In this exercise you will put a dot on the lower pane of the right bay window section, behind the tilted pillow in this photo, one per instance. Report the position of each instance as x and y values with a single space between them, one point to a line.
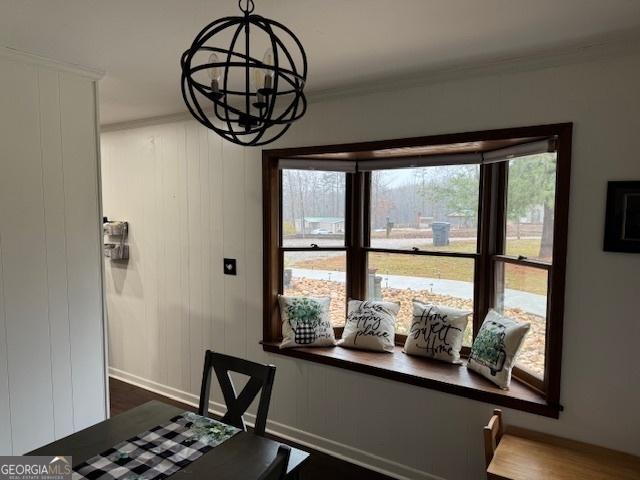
521 294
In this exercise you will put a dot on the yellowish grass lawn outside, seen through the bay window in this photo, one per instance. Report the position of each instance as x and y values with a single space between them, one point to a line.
518 278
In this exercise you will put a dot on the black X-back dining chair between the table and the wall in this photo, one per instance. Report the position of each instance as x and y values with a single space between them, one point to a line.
260 381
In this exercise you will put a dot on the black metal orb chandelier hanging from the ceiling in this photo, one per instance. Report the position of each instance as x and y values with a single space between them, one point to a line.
246 100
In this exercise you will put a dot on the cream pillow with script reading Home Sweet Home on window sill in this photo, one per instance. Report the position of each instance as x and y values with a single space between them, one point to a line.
436 332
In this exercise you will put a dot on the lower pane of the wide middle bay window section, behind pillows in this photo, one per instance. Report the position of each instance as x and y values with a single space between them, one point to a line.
439 280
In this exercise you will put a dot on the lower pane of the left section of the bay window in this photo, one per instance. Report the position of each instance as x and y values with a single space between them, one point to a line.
317 274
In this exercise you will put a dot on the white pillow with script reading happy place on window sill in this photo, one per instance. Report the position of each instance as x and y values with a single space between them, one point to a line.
371 325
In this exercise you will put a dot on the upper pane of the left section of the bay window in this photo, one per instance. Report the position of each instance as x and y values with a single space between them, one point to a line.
313 205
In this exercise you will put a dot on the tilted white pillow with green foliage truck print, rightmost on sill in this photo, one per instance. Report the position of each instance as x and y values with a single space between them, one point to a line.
495 348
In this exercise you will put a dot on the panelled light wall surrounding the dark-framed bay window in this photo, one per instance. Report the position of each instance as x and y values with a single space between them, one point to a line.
193 200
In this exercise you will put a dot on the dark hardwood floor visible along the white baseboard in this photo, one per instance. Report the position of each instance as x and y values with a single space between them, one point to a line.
319 467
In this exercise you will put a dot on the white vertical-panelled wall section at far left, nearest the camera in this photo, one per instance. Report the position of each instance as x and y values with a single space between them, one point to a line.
52 363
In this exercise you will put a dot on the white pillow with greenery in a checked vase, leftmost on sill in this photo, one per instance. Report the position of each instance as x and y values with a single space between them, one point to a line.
306 322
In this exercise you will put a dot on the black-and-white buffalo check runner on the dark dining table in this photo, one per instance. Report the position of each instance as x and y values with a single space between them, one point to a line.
159 452
